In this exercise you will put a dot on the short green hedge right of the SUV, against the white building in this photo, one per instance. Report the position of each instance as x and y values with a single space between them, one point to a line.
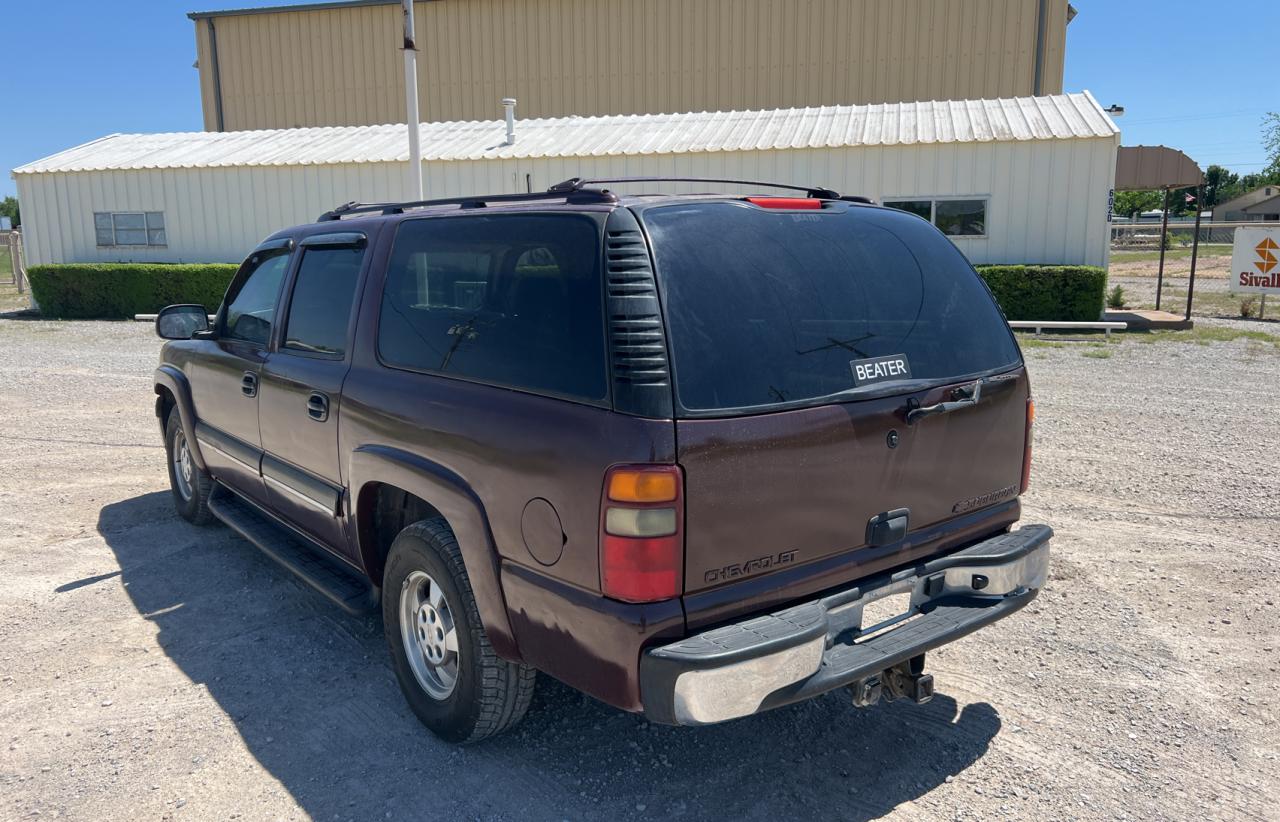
1048 293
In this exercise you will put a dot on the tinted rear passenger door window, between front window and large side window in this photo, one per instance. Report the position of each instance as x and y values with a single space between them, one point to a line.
323 295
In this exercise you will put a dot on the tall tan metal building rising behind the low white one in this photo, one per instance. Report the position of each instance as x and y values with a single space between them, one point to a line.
337 65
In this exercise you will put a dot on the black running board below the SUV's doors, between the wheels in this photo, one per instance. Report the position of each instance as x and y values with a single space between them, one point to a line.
345 588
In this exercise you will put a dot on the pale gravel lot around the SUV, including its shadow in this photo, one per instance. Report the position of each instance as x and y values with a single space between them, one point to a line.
154 670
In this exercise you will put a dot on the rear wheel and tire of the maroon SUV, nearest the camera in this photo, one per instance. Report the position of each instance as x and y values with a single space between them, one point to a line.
427 597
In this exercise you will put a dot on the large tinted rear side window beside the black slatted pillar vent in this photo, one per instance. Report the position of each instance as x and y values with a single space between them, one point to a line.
509 300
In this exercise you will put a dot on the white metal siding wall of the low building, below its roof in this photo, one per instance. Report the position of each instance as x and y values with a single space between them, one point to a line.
1048 198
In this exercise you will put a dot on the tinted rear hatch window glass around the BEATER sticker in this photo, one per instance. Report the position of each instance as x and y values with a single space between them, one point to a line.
766 308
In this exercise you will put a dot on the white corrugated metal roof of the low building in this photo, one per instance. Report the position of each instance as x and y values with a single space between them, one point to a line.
1062 117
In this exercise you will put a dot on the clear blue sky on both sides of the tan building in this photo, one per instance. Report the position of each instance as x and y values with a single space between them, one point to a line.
1192 75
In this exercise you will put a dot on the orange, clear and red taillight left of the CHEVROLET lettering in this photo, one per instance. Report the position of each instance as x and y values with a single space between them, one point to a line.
642 533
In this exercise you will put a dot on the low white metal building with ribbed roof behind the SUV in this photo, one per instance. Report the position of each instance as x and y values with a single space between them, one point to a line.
1022 180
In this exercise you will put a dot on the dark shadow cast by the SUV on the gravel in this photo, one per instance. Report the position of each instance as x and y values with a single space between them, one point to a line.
313 697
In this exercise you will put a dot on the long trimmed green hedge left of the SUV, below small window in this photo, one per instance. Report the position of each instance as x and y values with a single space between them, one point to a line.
117 291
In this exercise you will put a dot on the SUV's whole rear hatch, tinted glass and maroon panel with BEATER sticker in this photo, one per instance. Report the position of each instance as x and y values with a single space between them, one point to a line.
801 340
